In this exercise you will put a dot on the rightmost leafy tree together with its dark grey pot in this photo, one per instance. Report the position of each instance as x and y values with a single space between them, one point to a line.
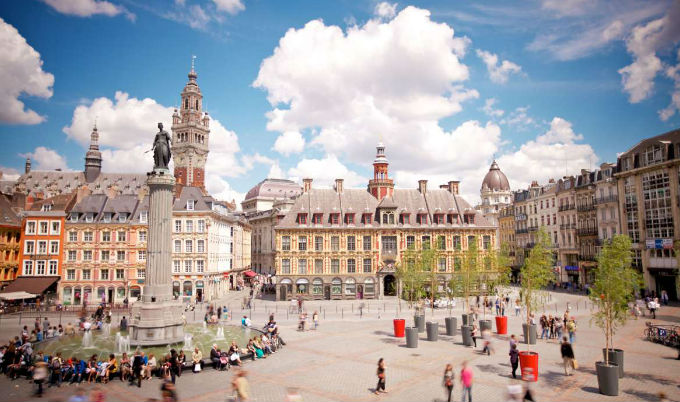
613 288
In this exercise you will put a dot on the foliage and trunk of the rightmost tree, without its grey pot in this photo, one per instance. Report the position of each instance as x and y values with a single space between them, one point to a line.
614 287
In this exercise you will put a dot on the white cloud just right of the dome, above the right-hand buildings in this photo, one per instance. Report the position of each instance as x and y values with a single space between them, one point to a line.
551 155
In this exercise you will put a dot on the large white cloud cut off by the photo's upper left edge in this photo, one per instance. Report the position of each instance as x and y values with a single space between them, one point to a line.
21 74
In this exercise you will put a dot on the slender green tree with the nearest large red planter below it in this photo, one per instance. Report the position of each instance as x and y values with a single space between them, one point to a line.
536 273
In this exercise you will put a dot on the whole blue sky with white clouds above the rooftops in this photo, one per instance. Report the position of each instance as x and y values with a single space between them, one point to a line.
307 88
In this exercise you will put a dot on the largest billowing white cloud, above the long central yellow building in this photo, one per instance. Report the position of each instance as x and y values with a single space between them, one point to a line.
394 79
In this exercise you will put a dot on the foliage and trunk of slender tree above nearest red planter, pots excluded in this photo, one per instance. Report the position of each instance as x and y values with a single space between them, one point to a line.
536 272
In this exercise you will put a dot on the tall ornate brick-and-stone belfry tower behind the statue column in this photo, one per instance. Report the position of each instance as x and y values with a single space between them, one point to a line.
190 135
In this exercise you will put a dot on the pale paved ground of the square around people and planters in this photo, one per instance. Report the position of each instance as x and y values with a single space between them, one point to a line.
337 362
